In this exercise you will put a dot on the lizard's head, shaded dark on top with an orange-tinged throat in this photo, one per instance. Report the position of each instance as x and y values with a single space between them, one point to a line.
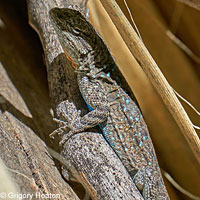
74 33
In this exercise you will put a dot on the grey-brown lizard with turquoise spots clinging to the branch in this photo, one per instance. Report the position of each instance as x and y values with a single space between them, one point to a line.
111 108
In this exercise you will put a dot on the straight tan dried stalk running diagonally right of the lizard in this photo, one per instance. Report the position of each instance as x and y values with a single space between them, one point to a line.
154 74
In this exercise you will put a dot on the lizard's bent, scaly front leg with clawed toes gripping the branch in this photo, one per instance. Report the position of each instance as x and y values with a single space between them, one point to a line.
96 99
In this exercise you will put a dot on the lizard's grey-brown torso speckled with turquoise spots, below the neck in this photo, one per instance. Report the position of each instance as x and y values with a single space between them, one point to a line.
125 130
